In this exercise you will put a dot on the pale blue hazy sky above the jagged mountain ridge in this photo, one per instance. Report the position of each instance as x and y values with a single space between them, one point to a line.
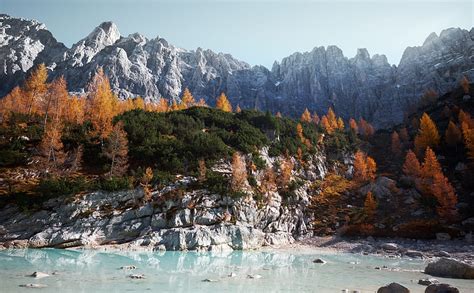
259 31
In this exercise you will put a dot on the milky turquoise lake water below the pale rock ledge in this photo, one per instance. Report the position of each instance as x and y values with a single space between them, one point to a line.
280 271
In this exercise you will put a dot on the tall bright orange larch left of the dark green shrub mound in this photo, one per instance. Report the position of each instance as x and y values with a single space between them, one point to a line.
101 105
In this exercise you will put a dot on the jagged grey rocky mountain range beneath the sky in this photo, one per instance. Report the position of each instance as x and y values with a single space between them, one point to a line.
362 86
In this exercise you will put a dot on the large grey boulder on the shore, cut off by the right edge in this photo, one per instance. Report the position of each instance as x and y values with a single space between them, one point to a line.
450 268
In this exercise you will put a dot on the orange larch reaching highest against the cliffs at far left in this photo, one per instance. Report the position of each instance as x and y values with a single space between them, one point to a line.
35 88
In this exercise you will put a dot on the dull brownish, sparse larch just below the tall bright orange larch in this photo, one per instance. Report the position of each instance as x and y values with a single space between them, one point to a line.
117 150
